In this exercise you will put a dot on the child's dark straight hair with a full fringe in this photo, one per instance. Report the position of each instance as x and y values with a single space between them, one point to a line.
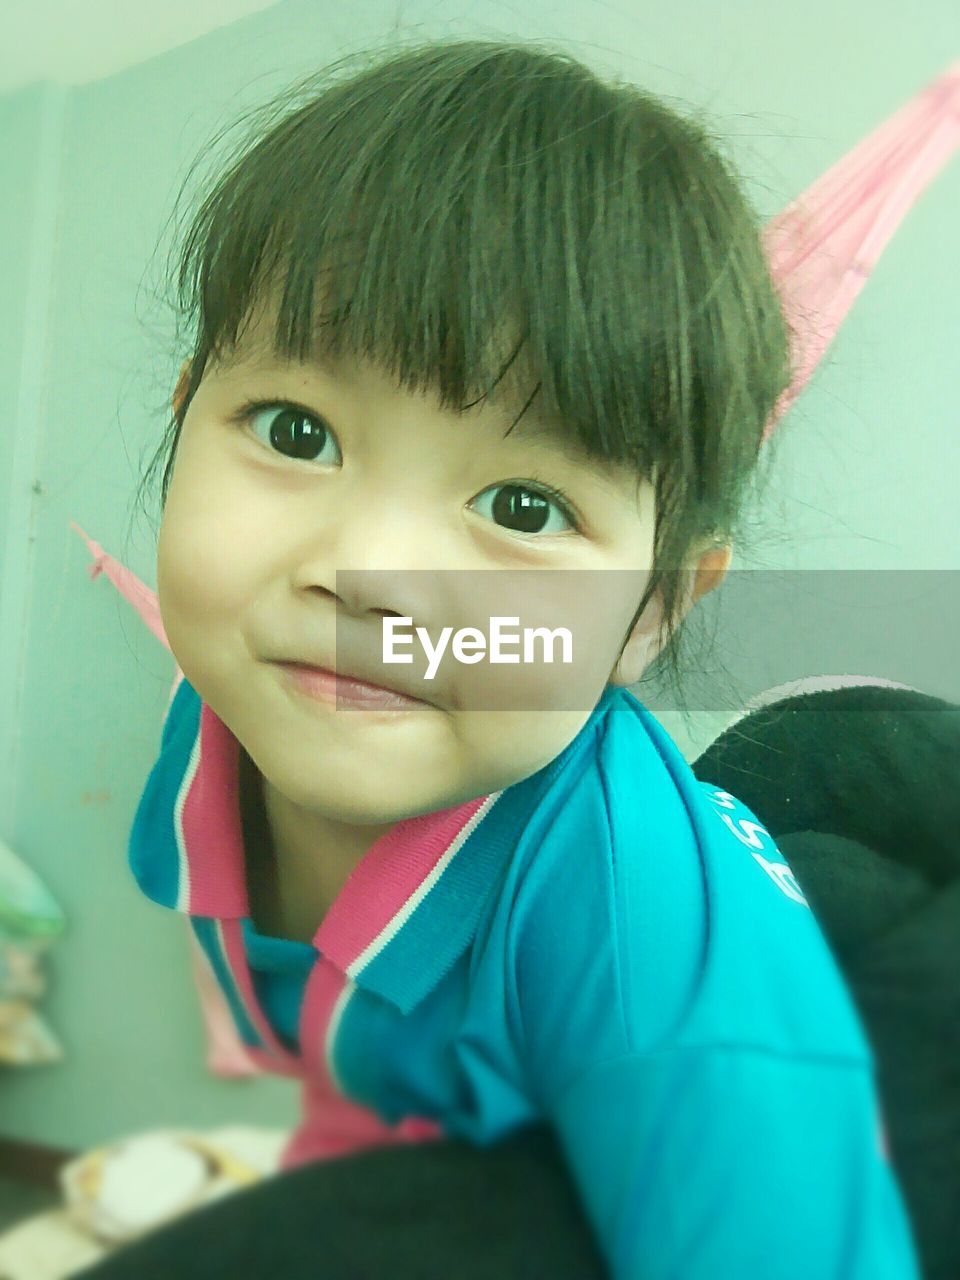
460 195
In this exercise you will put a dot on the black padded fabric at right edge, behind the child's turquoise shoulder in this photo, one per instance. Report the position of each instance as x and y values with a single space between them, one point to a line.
861 789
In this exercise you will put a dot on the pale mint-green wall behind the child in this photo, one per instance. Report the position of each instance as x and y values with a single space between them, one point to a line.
866 479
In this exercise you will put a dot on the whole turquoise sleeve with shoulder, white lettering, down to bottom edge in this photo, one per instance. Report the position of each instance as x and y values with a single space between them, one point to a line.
692 1040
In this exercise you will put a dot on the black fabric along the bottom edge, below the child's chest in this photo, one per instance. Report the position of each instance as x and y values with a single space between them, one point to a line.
438 1212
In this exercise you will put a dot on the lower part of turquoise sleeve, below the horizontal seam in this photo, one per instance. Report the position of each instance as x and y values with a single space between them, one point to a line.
734 1163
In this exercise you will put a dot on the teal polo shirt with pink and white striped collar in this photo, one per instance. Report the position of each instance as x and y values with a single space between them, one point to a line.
611 948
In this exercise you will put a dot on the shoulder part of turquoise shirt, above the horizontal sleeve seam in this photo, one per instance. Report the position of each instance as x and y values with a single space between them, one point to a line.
676 902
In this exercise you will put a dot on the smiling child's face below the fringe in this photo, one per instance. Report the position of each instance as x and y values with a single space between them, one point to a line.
254 534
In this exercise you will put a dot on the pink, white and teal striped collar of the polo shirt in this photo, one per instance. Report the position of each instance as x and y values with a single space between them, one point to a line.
406 912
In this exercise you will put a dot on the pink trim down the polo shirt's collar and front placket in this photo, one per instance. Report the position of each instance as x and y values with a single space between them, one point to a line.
382 893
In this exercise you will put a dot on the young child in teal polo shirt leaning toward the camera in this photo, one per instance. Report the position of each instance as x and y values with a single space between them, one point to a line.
474 310
